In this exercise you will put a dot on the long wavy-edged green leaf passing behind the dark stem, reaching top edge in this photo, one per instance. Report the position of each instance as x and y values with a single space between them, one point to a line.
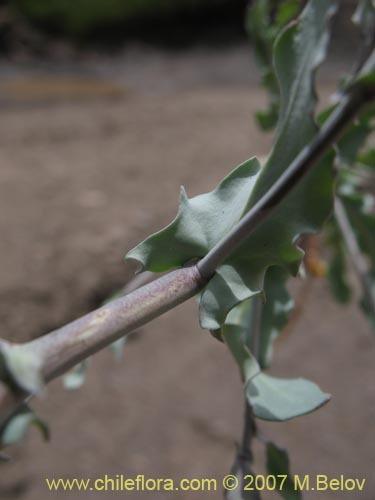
298 50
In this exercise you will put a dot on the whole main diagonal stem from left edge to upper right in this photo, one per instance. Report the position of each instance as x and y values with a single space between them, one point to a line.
62 349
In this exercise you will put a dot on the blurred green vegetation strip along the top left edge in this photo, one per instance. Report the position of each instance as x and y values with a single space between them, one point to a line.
82 18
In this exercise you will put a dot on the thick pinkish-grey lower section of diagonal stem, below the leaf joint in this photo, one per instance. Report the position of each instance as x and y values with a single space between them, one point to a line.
63 348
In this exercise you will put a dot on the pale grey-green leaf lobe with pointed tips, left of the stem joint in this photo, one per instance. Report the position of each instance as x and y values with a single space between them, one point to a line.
200 223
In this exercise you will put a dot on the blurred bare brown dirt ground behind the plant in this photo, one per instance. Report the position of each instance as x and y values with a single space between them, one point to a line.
86 175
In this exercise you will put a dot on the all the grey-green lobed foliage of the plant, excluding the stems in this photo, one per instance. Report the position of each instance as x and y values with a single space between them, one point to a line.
246 302
